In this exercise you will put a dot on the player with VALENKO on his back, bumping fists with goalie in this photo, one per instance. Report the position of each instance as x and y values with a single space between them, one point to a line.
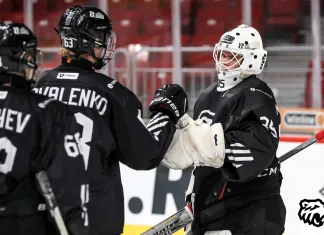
87 44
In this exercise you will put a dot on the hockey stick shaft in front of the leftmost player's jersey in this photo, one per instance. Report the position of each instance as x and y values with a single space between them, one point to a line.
48 194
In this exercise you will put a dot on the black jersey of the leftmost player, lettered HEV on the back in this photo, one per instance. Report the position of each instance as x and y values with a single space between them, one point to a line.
34 131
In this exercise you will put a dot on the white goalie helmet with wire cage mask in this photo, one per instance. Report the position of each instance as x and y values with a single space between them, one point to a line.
238 55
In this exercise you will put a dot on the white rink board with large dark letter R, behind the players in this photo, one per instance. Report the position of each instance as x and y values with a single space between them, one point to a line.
303 179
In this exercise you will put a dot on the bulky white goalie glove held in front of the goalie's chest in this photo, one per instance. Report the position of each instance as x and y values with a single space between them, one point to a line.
196 143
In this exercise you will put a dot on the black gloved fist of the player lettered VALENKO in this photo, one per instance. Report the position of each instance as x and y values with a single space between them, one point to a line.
170 99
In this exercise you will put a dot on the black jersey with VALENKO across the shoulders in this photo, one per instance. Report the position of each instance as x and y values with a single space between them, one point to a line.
114 131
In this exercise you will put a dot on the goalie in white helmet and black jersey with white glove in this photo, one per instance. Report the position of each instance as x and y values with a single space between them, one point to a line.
235 186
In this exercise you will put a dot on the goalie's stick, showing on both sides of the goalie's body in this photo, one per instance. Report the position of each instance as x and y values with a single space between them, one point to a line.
184 216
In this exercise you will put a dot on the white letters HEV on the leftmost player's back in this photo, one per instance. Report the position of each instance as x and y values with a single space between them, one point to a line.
13 120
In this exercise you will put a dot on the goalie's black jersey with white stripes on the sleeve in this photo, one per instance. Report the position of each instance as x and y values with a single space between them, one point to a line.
251 120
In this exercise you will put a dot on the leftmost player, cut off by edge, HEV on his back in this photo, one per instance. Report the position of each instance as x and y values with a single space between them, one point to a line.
36 133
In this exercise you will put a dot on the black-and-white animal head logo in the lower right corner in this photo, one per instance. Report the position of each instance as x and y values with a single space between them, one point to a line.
312 212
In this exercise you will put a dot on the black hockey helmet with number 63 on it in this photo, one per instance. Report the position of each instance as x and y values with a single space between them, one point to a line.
82 29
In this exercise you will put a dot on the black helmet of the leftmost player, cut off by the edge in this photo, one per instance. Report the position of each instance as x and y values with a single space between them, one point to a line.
18 50
